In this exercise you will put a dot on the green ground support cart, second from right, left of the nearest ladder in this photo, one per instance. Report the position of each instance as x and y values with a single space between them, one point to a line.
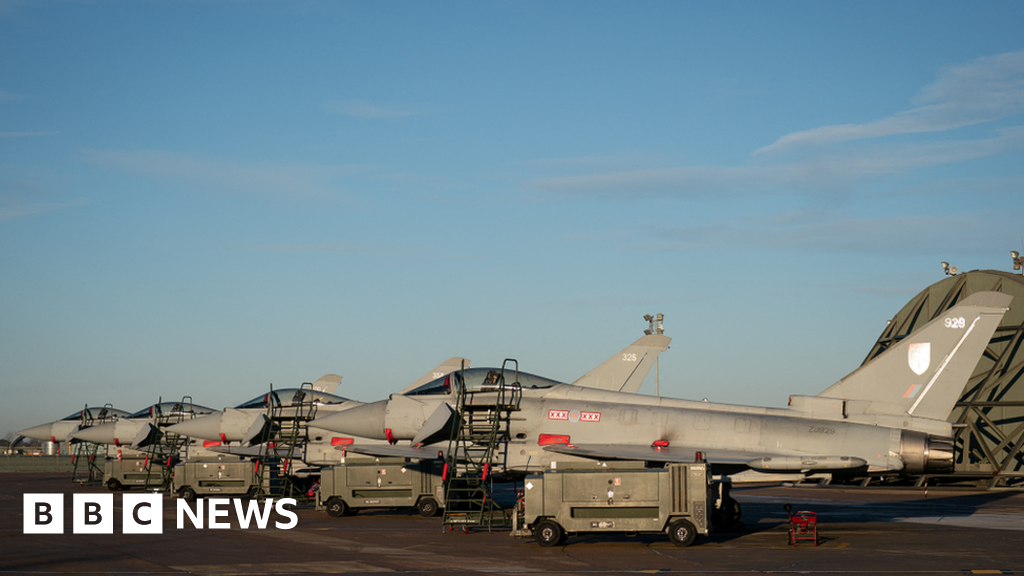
381 483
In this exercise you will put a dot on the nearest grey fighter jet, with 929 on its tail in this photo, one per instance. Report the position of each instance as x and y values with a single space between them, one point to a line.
887 417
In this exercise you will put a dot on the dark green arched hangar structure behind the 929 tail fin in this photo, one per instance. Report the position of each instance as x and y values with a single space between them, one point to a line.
990 416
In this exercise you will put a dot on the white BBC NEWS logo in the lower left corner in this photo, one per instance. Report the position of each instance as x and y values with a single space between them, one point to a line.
144 514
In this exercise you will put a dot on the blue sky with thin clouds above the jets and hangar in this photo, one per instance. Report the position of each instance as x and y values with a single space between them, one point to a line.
205 198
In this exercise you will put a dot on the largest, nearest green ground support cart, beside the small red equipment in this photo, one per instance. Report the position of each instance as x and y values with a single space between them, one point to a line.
624 498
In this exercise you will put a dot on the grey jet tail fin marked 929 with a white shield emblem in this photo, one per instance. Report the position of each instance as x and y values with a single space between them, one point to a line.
925 375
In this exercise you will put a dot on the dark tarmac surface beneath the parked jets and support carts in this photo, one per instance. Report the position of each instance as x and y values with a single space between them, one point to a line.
863 531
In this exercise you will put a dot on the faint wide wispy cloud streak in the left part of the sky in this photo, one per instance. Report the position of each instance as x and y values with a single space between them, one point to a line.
226 177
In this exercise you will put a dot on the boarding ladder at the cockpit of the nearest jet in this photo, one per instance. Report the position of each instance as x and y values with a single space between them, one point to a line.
479 443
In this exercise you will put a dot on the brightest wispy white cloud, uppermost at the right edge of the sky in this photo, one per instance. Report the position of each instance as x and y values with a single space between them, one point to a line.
982 91
